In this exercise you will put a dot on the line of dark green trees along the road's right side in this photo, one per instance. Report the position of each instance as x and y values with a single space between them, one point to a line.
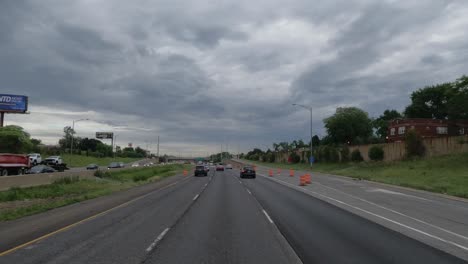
353 126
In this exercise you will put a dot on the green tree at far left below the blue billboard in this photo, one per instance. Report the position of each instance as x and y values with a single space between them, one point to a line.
13 139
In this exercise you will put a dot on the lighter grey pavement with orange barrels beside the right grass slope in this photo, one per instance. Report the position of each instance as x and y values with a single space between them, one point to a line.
442 216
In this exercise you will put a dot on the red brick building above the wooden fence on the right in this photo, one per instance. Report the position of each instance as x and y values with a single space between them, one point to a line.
427 128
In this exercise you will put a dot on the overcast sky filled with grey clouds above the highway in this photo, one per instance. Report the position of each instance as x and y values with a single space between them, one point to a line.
204 73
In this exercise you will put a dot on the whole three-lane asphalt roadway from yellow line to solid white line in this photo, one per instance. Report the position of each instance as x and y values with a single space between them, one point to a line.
222 219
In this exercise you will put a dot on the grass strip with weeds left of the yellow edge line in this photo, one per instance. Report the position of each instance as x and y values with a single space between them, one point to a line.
19 202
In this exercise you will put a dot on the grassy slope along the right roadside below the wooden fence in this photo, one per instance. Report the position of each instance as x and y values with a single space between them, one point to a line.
444 174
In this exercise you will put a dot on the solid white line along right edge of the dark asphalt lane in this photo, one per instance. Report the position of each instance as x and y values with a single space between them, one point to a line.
376 215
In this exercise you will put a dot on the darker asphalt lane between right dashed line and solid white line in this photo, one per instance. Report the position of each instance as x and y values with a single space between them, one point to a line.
322 233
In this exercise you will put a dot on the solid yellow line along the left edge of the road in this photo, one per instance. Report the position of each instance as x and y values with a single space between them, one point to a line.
83 220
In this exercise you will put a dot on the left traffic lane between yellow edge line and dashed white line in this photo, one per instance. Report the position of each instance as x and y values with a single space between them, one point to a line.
120 236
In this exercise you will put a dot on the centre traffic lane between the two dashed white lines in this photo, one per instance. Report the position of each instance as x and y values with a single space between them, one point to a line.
225 225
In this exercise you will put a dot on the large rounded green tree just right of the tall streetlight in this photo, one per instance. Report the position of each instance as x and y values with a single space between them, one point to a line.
349 124
